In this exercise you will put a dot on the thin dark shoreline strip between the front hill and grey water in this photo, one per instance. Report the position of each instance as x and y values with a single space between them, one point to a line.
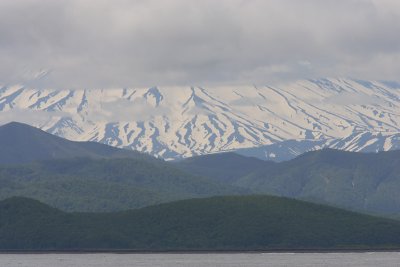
131 251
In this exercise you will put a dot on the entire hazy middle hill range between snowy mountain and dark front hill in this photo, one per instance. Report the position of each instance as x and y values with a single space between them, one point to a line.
82 176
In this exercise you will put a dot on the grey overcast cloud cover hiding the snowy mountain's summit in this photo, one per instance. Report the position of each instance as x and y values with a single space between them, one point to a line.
127 43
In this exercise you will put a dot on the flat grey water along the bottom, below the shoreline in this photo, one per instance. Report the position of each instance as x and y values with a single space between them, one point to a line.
372 259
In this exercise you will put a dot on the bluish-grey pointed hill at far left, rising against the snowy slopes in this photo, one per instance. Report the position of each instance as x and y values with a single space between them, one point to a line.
21 143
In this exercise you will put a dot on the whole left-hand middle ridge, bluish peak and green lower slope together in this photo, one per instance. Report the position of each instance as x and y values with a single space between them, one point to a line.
89 176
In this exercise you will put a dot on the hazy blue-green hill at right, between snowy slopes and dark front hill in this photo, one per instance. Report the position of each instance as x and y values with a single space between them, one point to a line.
366 182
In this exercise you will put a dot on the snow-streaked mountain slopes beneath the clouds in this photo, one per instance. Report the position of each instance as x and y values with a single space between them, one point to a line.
275 122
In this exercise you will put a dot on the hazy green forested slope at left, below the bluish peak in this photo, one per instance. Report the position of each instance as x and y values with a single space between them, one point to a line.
84 184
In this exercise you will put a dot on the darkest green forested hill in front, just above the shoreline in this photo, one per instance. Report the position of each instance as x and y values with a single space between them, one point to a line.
218 223
